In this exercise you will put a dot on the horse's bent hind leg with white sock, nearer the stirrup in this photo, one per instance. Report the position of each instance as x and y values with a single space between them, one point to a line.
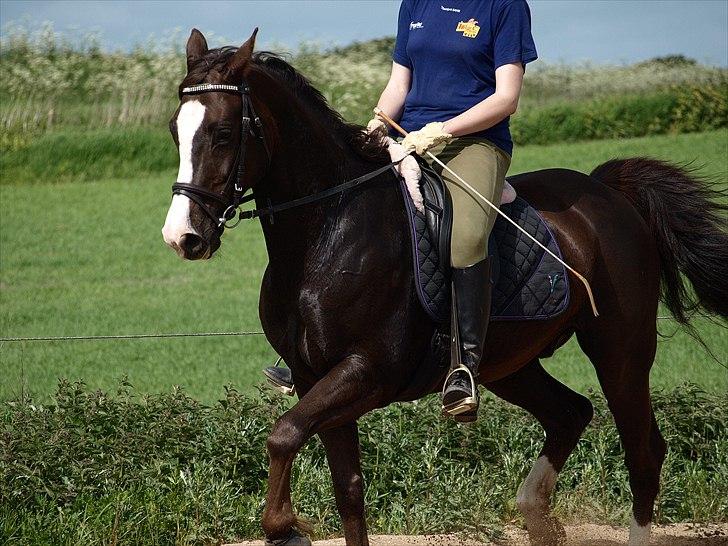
564 414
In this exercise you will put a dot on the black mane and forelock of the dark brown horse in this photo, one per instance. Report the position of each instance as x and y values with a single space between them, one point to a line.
275 65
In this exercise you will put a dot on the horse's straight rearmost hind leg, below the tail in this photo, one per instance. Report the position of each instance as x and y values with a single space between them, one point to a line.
623 370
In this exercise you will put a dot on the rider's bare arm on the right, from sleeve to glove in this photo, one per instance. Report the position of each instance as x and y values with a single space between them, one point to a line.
495 108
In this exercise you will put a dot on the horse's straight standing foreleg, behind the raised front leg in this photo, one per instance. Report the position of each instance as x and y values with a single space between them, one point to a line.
342 452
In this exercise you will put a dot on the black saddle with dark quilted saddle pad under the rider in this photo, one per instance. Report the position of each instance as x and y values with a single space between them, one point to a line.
529 284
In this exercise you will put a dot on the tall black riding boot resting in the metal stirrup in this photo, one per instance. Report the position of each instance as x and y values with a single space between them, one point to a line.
471 314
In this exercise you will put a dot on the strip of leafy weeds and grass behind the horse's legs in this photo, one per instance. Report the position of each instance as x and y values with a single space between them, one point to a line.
93 468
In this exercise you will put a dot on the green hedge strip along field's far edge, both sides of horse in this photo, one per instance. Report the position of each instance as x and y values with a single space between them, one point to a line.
125 152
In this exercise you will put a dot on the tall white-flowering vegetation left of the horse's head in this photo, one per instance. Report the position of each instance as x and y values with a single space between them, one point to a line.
46 81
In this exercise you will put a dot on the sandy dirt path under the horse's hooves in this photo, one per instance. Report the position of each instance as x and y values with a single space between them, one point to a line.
681 534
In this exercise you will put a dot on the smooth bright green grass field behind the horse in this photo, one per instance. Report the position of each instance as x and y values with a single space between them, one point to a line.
82 258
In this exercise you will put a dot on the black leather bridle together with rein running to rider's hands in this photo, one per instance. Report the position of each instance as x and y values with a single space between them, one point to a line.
251 125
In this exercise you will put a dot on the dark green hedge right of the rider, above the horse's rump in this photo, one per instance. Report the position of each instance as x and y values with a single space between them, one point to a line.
682 110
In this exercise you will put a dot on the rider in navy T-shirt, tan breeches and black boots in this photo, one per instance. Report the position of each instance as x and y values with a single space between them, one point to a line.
456 78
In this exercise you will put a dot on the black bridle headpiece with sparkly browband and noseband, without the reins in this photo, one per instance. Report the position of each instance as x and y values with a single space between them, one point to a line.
234 183
